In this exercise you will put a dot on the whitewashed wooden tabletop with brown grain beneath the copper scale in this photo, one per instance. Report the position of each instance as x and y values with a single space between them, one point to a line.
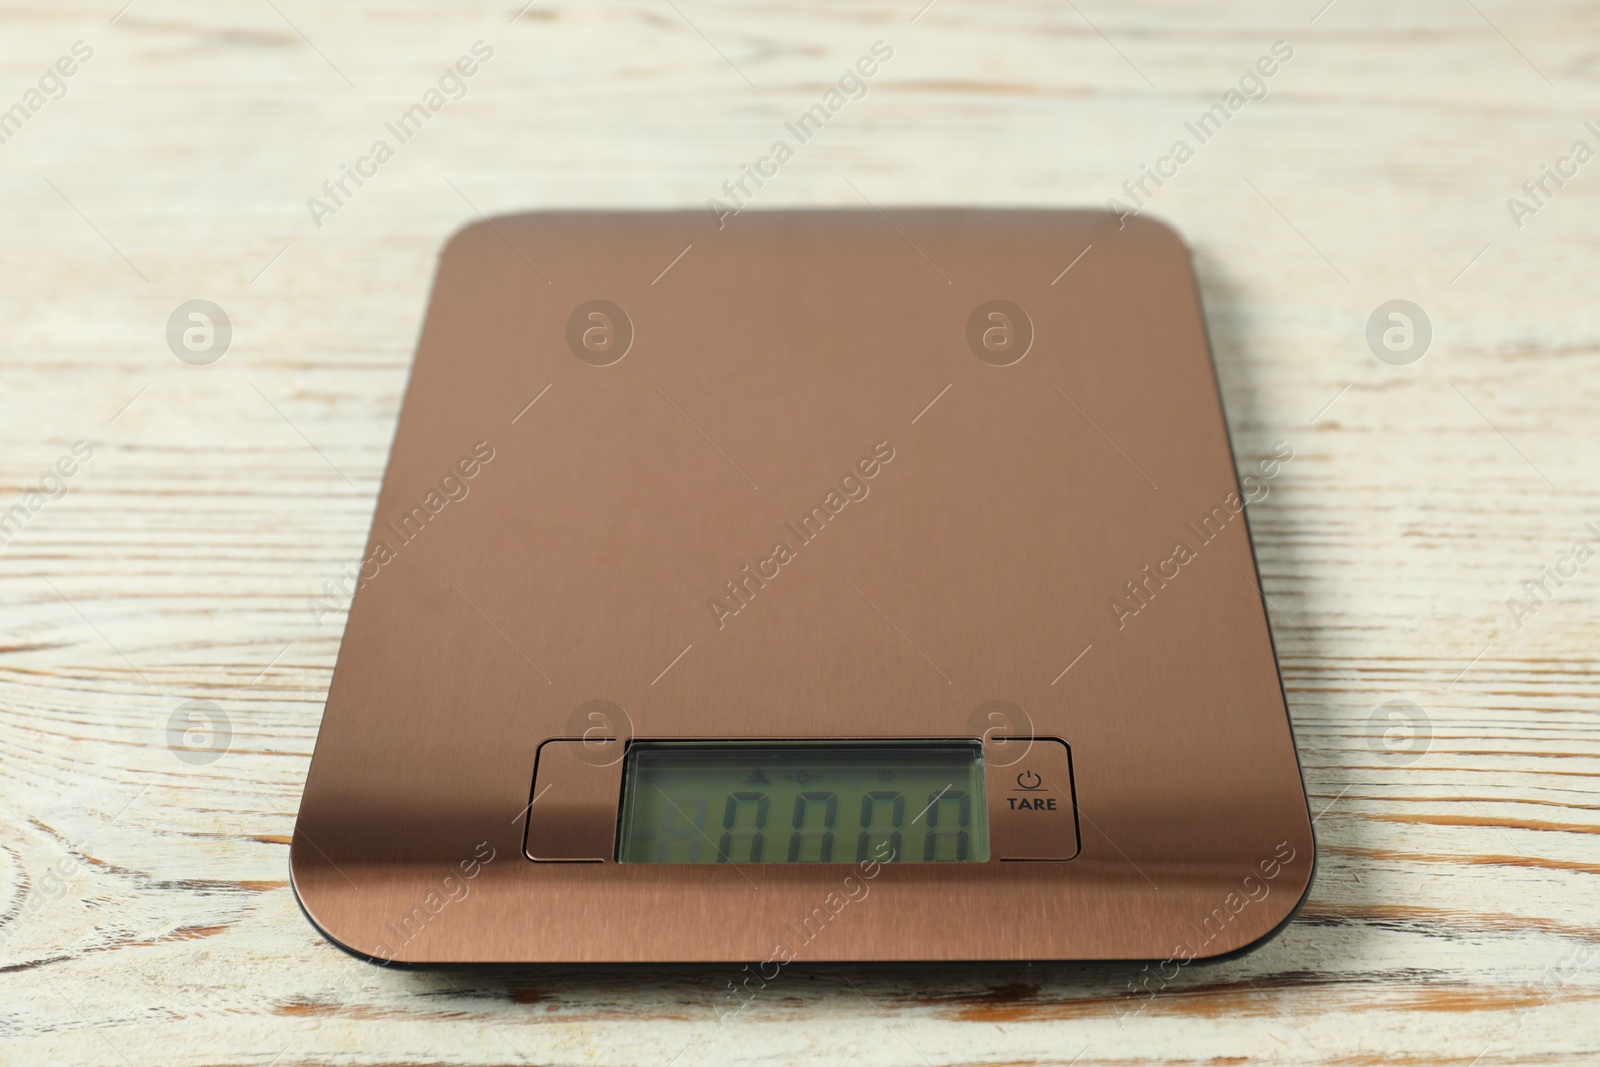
145 911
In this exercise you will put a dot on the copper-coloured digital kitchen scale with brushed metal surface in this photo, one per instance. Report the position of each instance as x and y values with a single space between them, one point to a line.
807 586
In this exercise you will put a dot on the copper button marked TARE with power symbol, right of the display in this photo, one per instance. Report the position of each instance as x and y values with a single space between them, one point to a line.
1030 786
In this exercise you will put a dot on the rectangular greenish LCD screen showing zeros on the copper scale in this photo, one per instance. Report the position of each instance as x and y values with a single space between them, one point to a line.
804 804
